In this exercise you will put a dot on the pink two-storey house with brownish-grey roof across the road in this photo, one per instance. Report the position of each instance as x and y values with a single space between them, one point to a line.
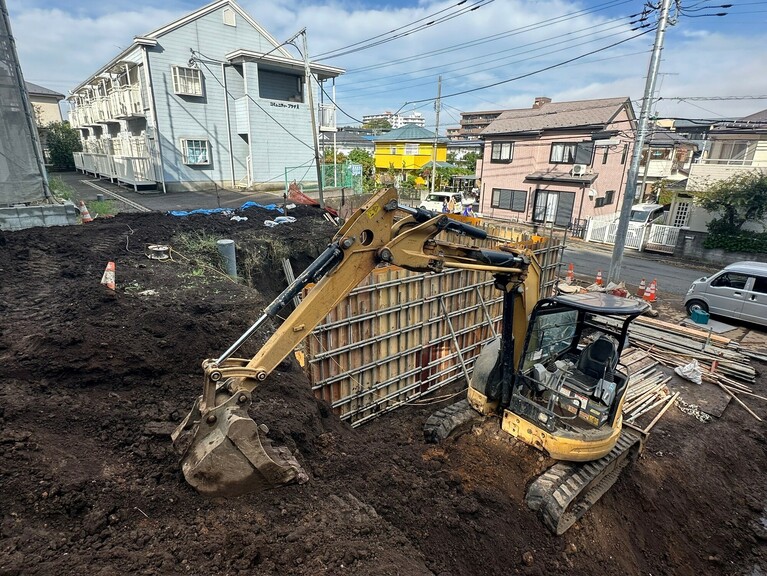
558 163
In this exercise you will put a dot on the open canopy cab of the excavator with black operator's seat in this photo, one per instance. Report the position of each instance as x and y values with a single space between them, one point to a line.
569 388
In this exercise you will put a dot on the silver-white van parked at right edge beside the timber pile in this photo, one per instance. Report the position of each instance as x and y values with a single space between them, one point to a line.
738 291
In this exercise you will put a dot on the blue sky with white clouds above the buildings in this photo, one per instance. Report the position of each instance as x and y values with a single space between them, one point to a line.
489 58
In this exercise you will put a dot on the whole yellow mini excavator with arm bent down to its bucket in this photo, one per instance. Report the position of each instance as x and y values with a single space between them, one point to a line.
224 452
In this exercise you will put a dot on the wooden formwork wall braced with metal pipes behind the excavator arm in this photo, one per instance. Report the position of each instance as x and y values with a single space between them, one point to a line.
400 335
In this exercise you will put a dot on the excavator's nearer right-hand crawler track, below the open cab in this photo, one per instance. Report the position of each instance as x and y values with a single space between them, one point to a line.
564 493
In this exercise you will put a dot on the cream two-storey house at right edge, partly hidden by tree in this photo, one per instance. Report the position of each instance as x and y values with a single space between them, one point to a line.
733 147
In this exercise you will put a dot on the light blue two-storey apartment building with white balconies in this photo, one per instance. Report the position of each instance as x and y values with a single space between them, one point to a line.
211 99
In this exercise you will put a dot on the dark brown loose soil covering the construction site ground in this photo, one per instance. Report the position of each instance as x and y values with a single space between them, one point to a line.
94 381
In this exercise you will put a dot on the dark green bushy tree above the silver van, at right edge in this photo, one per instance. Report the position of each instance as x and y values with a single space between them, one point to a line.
739 199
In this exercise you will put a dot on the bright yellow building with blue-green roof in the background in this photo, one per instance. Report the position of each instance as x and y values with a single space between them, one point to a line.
409 149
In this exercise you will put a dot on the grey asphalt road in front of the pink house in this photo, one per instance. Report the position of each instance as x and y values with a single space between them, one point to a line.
673 276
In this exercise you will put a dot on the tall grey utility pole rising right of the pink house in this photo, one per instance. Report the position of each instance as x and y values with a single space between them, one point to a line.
631 182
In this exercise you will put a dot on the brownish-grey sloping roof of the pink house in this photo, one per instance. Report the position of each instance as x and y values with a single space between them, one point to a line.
558 115
